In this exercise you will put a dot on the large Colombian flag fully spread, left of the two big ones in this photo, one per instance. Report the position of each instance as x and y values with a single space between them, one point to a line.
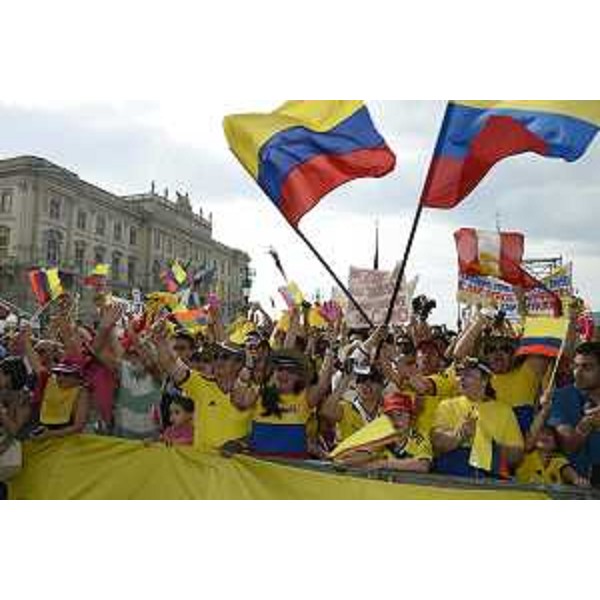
306 148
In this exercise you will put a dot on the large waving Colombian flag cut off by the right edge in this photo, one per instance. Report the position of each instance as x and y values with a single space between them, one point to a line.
476 134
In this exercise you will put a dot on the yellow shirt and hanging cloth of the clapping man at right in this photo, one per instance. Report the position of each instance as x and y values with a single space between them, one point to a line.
496 422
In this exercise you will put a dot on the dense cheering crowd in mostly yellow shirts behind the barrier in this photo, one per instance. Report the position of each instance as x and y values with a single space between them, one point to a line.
414 398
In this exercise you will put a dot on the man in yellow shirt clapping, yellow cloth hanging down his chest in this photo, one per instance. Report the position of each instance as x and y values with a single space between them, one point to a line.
474 434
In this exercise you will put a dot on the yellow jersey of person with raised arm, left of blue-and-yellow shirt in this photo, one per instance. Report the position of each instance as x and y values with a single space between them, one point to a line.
216 420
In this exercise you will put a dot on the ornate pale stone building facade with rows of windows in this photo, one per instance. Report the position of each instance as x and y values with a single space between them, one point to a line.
51 217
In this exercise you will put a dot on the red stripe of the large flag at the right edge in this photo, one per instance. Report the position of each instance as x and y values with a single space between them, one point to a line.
450 179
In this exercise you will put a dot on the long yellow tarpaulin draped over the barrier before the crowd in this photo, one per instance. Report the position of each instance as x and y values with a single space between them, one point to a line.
94 467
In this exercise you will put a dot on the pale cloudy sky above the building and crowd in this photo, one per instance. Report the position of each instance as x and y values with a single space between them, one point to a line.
180 145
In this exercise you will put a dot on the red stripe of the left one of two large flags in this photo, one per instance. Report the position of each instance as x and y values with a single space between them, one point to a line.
310 181
